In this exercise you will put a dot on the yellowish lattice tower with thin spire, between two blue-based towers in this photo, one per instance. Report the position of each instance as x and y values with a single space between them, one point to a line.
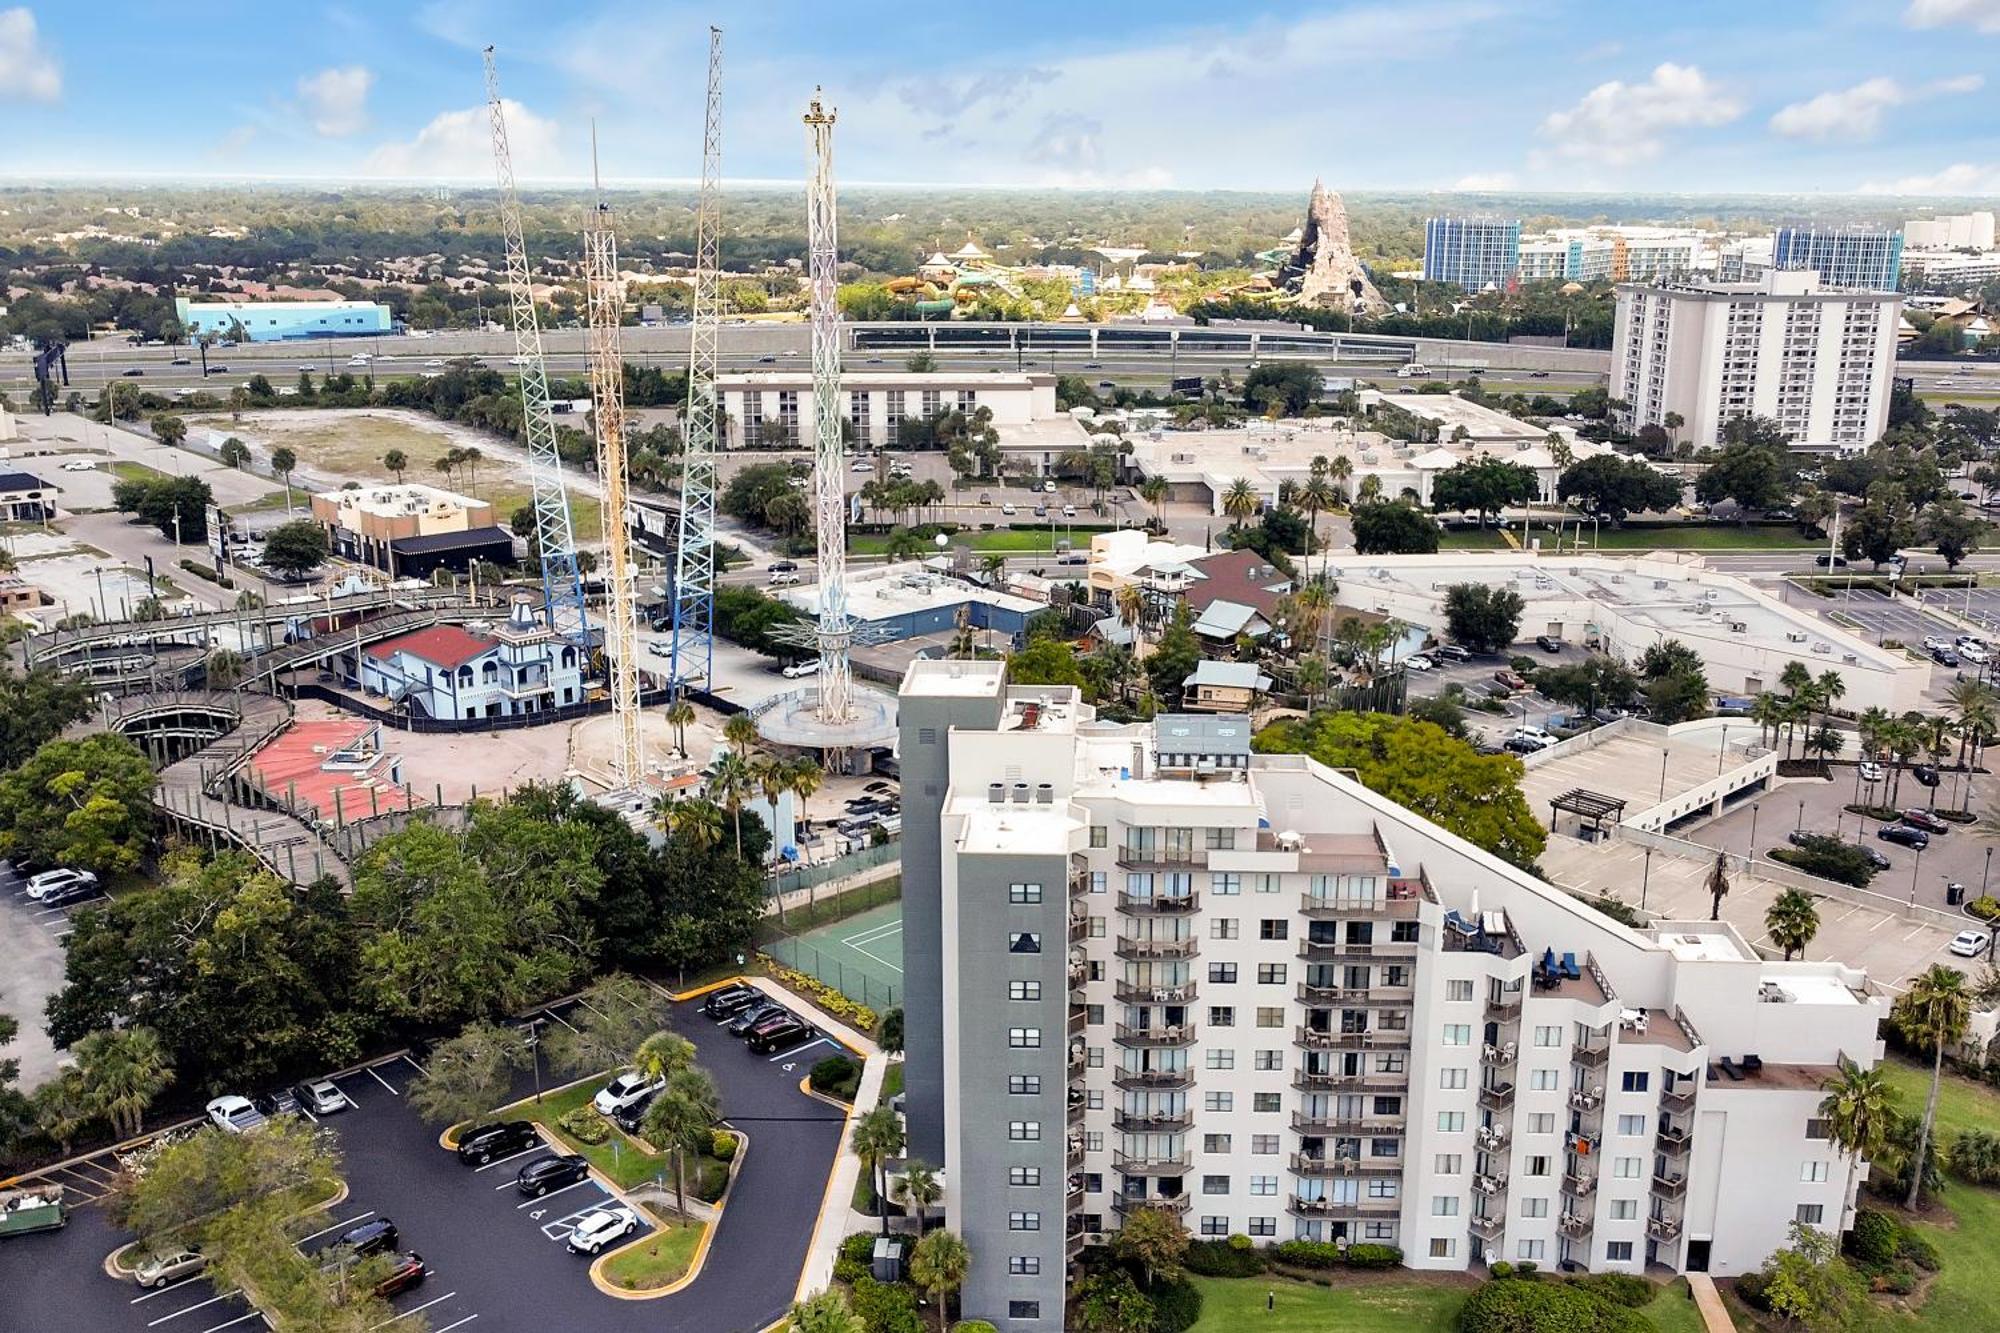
605 301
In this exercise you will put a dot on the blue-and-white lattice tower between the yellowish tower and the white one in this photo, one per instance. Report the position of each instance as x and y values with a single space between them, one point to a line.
695 547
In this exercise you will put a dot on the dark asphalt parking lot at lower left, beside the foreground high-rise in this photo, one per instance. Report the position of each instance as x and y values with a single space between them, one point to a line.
495 1262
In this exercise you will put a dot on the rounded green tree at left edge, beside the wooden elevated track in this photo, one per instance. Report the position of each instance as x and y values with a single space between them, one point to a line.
79 804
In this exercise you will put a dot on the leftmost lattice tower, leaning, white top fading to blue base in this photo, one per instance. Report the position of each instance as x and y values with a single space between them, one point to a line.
561 581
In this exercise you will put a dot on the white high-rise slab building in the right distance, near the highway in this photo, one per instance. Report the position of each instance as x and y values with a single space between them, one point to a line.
1813 359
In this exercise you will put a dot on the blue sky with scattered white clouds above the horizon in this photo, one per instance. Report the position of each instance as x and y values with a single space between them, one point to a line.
1533 95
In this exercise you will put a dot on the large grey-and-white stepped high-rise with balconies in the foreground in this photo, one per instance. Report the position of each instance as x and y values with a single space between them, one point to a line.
1151 970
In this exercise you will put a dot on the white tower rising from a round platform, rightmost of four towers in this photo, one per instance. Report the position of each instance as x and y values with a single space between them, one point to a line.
829 457
